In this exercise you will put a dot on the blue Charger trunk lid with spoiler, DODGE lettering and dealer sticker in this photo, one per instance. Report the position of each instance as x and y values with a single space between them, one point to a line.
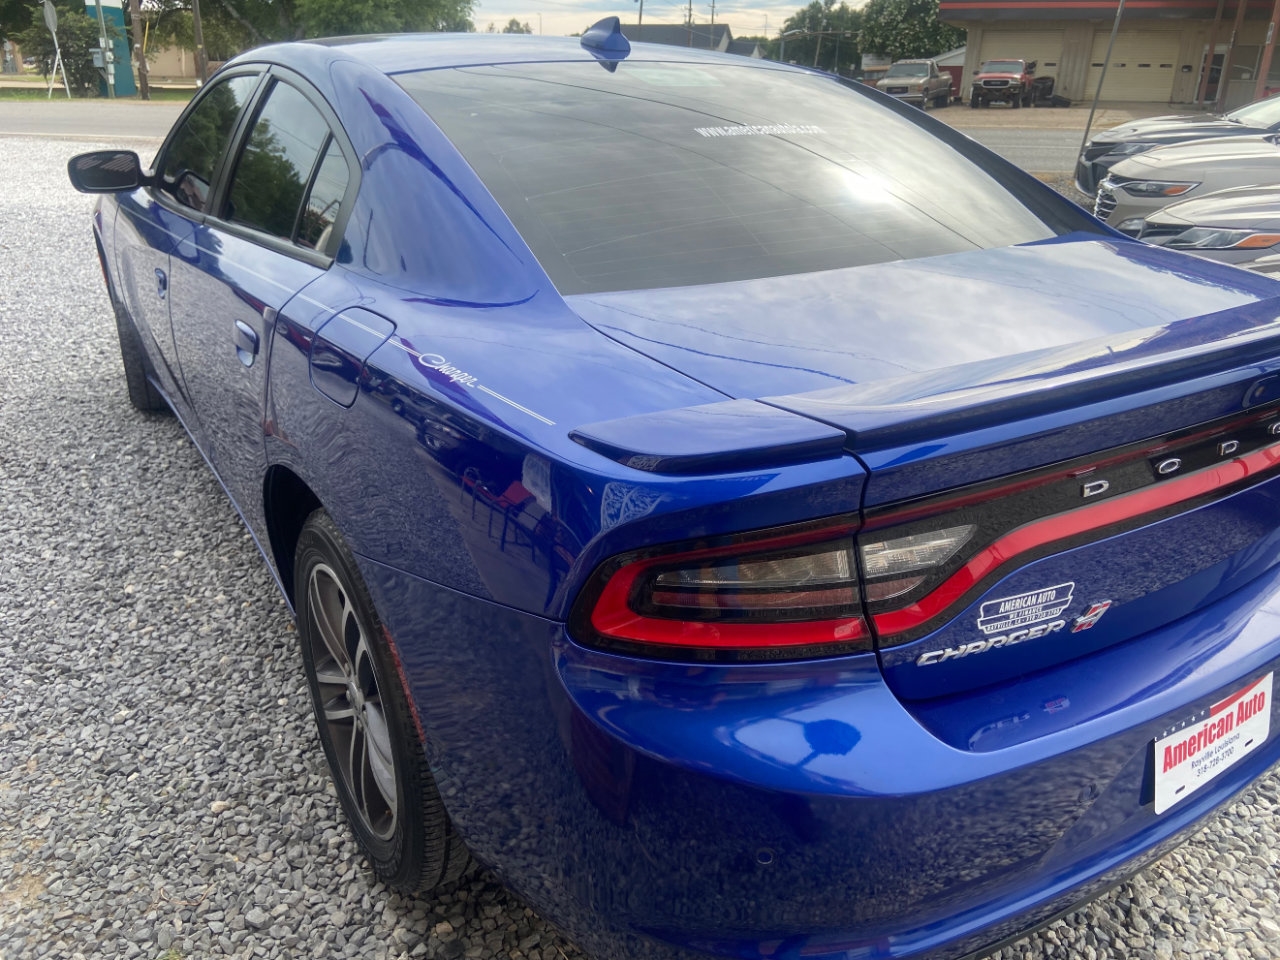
1039 414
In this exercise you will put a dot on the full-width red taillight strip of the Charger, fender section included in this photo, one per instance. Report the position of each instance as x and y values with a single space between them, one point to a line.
820 589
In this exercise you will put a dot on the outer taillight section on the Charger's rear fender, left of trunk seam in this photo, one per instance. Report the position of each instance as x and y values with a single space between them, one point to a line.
788 593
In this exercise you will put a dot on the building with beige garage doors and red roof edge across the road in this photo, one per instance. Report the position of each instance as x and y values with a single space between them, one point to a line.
1159 56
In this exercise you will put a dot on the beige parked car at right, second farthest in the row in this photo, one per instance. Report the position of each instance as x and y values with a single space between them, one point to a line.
1140 186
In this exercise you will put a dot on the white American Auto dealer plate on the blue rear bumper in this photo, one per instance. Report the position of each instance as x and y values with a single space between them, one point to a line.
1197 753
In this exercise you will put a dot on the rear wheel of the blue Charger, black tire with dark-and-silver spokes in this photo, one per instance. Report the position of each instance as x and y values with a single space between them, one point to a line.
365 721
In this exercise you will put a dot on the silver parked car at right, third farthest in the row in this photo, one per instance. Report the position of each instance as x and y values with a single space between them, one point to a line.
1240 227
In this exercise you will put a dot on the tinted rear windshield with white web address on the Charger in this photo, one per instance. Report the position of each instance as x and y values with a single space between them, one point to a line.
664 175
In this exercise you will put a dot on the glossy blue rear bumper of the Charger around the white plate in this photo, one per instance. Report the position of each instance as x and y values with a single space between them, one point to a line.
664 810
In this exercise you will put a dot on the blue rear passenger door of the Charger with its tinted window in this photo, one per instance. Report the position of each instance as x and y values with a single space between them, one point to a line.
272 216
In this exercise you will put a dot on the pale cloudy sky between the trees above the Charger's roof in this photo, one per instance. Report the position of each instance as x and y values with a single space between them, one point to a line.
564 17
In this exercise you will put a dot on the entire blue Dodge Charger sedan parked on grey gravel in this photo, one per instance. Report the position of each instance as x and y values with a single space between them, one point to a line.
748 516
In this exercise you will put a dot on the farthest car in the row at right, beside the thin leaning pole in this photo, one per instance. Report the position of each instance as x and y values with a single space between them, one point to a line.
1110 148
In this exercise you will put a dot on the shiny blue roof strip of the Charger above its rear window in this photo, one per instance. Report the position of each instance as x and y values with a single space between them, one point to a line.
405 53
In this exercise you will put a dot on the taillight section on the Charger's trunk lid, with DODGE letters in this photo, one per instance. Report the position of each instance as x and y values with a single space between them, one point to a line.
925 561
